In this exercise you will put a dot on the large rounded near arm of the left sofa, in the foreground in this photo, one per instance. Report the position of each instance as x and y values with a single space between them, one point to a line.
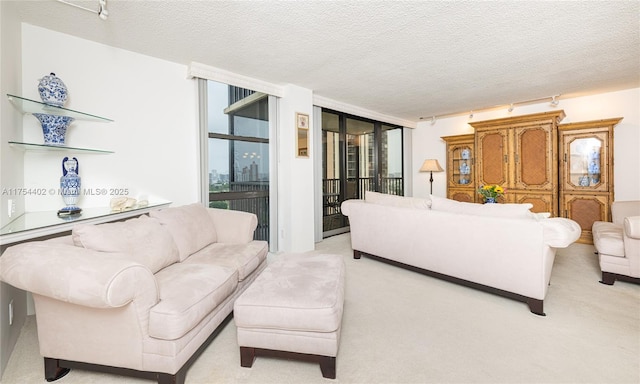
77 275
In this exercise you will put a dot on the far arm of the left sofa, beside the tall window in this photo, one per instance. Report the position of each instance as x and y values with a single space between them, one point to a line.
233 227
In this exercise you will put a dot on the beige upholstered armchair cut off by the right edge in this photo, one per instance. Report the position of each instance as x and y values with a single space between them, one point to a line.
618 243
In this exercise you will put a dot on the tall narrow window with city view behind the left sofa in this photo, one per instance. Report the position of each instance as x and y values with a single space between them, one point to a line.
238 151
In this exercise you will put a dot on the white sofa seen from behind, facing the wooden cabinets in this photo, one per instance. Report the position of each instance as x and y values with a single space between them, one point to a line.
501 248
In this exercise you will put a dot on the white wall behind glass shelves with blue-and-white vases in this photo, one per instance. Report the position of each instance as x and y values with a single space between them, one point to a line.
155 130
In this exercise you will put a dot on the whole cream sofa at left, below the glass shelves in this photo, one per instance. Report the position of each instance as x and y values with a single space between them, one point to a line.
141 297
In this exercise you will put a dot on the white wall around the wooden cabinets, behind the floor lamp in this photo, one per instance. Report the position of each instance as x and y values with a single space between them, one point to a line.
427 142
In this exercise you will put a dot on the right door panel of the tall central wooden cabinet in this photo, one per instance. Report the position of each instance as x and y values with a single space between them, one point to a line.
534 167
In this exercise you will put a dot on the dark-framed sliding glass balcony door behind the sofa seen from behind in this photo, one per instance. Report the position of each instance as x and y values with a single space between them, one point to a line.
358 155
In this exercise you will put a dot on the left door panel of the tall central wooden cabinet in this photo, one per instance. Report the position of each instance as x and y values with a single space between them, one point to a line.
492 157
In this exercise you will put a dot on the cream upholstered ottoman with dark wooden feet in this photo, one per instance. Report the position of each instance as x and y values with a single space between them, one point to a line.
293 309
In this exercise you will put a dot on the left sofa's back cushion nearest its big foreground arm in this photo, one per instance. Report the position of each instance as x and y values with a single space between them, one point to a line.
142 239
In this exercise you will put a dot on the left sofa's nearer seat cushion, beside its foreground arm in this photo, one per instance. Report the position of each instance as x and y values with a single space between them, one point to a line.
188 293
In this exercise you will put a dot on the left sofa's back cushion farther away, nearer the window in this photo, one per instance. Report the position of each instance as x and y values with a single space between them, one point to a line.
190 225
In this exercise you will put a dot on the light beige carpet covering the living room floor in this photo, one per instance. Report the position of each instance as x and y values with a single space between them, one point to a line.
403 327
